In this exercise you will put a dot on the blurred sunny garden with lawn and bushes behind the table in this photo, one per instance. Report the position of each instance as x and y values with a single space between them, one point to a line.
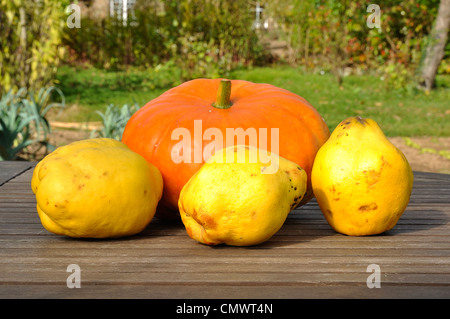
77 69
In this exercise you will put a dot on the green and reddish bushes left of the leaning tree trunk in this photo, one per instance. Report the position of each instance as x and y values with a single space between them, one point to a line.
333 35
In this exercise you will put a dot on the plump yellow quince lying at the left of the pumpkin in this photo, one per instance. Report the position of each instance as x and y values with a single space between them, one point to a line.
96 188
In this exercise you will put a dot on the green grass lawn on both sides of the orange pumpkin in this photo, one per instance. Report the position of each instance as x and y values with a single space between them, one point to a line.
398 112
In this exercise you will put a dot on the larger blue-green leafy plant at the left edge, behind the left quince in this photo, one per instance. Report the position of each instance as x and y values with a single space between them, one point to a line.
23 122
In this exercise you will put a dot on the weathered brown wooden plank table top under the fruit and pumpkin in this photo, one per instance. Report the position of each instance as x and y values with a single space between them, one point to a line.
305 259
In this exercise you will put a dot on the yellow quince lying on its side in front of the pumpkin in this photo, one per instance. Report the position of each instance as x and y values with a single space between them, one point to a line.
241 196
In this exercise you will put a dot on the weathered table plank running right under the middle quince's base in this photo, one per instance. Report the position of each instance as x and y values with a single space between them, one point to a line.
183 242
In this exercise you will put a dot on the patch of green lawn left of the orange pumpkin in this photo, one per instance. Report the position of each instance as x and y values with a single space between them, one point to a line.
89 90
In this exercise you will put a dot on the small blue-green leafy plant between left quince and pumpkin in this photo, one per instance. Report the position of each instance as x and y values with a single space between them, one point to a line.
114 120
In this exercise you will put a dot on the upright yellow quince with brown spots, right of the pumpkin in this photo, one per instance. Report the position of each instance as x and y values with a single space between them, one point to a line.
361 181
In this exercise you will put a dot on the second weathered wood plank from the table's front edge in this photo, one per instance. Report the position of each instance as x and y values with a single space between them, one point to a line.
231 278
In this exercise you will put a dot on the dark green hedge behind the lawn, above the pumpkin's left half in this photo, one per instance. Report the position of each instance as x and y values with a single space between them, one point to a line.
200 37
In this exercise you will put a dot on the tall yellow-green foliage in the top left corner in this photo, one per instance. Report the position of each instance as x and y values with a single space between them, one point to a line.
30 43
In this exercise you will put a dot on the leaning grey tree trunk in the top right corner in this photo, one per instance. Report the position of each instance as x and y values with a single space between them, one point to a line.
436 46
